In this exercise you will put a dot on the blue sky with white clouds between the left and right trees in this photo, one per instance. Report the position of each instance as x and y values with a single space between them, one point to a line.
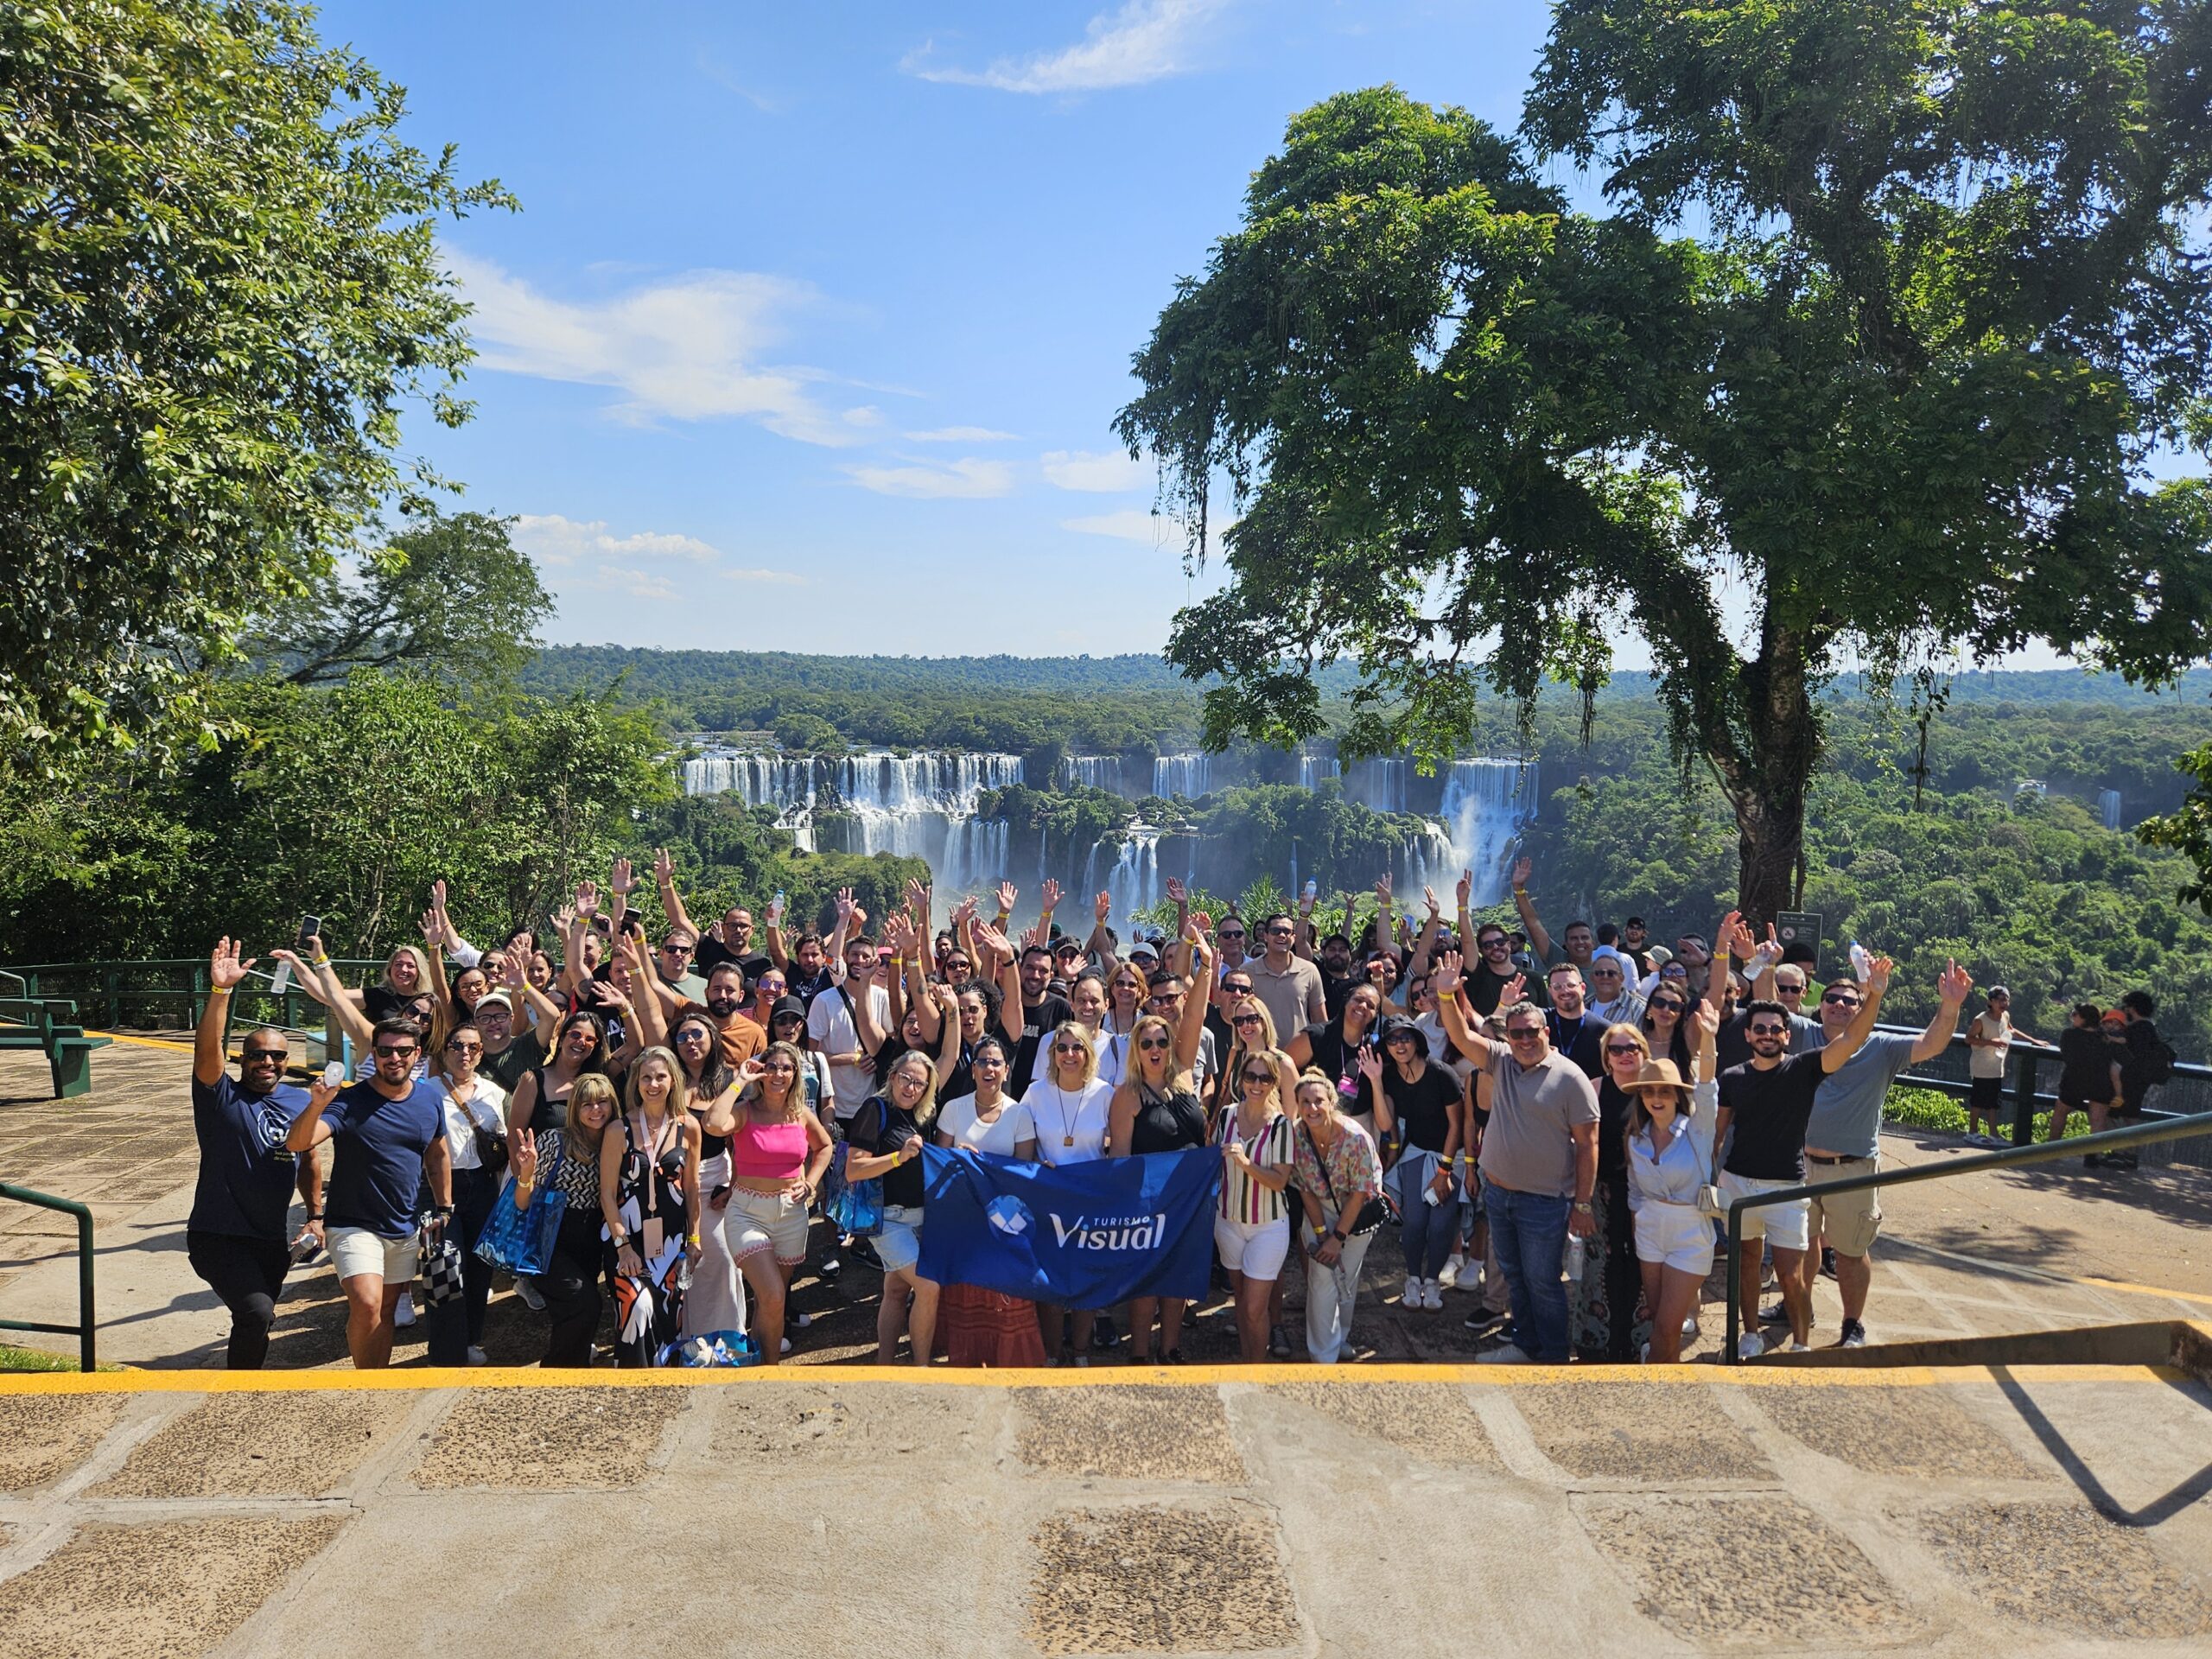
815 320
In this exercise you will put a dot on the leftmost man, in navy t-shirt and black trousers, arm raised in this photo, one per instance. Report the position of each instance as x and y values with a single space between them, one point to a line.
236 1235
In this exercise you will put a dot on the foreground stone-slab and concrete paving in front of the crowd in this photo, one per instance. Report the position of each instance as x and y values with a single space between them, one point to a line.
1273 1510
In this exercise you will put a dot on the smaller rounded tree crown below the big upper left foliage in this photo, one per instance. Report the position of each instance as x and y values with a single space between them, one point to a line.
448 596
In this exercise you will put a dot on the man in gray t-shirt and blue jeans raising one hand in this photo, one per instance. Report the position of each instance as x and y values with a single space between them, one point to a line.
1538 1162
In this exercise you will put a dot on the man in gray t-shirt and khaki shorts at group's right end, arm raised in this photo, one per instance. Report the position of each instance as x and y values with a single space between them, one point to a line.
1846 1134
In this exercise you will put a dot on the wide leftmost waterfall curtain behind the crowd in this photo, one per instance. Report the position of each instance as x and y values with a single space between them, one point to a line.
912 806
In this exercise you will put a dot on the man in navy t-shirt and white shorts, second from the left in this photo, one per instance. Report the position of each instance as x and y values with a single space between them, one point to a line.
388 1136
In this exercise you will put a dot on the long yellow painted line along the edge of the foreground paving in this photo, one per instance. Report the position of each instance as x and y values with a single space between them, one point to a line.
492 1377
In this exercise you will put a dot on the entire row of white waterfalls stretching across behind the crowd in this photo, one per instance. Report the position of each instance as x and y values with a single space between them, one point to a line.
1171 817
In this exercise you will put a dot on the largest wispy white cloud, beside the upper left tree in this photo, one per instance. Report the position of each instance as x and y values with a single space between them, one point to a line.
680 351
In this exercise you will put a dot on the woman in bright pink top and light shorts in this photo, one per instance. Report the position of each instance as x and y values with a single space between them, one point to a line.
778 1158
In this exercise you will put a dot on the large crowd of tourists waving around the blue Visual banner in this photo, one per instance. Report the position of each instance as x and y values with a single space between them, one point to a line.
1554 1129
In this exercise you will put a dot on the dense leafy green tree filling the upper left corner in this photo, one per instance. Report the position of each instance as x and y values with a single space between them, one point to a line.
218 284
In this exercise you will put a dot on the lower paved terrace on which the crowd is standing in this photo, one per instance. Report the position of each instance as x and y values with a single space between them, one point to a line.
2041 1249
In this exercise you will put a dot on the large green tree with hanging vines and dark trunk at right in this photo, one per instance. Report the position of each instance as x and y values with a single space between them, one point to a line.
1945 293
